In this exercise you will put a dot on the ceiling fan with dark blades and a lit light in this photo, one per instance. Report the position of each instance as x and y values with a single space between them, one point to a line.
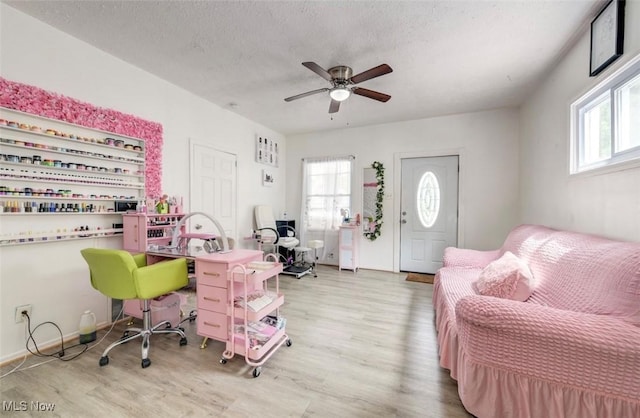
341 79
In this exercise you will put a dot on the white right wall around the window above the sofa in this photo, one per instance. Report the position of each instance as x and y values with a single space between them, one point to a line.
605 203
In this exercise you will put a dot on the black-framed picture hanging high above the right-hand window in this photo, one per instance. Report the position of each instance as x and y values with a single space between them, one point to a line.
607 37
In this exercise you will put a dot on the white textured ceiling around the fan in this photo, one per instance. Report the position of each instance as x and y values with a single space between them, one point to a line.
447 56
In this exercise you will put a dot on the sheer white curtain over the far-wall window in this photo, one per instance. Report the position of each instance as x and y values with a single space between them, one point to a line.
326 199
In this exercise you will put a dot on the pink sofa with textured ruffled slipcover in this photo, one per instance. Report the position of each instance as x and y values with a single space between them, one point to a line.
571 350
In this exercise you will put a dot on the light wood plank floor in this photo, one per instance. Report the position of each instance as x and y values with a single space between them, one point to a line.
363 346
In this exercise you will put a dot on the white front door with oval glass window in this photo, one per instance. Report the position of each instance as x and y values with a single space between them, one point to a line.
429 211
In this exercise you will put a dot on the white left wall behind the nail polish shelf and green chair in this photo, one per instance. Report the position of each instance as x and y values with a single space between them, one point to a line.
53 277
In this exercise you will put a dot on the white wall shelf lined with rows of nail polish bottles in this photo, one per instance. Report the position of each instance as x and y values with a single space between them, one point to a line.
53 174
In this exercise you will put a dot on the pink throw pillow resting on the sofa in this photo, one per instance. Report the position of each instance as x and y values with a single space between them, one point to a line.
507 277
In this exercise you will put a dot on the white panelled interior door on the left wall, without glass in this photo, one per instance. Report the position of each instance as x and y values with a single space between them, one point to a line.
213 188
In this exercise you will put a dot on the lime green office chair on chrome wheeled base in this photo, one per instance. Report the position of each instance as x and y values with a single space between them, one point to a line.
120 275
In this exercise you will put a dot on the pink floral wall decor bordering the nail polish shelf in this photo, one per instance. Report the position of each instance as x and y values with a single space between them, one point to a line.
34 100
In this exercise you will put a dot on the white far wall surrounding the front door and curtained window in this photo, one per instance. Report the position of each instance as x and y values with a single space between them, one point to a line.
487 141
